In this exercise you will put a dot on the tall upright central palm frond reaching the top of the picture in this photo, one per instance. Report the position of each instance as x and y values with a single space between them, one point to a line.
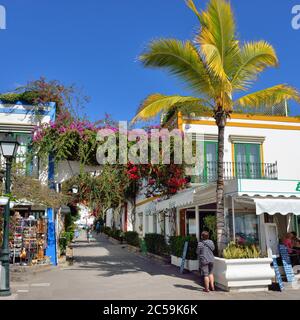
217 38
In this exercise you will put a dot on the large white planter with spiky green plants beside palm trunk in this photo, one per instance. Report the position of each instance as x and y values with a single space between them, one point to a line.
243 268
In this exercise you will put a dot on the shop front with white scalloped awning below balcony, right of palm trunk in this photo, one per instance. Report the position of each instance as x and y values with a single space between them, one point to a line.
262 212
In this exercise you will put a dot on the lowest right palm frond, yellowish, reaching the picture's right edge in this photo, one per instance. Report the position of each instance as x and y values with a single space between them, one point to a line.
269 97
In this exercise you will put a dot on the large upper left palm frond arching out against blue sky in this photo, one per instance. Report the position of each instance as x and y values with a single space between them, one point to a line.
182 60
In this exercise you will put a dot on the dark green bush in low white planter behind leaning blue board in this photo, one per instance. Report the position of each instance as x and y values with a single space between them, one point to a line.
177 246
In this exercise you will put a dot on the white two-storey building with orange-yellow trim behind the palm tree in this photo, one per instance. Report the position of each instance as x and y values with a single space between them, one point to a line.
262 188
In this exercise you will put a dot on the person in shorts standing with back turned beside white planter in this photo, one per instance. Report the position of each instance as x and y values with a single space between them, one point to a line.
206 249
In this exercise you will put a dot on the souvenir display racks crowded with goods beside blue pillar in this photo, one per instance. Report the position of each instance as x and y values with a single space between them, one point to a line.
28 236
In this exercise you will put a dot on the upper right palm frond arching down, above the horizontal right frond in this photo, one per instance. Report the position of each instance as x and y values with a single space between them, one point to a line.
254 58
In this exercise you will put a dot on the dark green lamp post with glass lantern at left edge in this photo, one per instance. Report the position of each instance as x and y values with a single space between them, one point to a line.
9 147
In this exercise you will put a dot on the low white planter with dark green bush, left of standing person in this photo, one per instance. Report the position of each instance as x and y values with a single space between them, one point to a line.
177 246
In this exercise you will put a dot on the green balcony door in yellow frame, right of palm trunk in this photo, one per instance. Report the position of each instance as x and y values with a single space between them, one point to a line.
248 161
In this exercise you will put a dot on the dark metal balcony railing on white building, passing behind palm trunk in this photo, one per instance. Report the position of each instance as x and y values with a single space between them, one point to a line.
237 170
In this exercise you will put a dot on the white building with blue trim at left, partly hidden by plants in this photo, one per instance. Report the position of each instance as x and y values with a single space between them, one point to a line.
19 120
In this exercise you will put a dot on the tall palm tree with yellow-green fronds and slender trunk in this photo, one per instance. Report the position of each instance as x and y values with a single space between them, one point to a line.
215 66
